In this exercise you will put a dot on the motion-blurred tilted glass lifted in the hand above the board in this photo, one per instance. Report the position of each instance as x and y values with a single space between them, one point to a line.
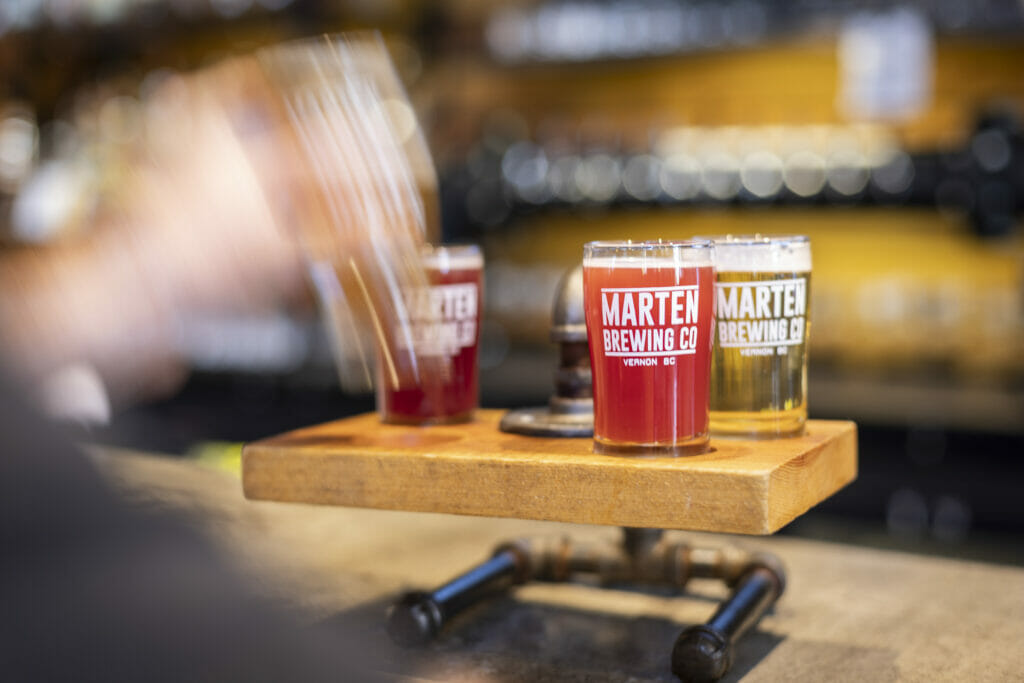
351 177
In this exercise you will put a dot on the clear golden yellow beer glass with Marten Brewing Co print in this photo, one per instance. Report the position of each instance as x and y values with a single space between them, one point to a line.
759 366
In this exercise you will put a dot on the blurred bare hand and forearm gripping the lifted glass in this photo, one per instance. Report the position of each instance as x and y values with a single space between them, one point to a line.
188 231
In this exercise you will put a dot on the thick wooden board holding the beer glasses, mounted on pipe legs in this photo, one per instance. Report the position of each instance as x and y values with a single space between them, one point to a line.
742 487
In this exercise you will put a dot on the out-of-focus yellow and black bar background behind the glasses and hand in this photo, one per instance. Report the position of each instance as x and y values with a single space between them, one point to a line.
890 134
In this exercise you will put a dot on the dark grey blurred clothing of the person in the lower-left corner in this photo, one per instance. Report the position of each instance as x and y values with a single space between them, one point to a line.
95 589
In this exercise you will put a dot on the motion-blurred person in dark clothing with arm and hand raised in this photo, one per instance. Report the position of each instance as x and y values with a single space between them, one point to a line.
92 588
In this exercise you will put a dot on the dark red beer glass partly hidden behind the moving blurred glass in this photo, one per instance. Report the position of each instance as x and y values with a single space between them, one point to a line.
445 331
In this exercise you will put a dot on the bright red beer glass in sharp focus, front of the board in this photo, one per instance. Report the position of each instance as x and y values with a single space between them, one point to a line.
650 314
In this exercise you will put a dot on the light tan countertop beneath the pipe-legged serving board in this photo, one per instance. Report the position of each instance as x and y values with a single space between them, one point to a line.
848 615
